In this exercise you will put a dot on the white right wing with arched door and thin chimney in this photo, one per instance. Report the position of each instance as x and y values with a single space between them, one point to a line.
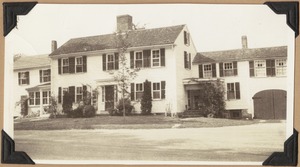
254 80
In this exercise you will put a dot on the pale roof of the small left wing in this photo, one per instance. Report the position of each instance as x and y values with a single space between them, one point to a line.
25 62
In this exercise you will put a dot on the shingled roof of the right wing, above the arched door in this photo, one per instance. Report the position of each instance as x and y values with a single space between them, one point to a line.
240 54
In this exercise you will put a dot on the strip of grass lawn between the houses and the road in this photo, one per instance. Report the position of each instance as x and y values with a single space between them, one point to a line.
129 122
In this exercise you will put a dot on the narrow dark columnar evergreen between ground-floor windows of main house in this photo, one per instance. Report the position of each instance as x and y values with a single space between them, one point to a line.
146 102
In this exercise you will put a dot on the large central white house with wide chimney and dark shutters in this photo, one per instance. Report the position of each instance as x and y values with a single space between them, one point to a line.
163 56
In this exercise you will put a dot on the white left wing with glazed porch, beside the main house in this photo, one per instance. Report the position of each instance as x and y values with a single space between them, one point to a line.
32 77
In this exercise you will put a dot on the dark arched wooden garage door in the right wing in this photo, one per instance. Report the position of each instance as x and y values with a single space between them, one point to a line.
270 104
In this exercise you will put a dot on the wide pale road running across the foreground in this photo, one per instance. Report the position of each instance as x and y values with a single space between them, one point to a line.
240 143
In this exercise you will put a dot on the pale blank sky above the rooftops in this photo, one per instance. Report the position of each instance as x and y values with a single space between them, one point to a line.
212 27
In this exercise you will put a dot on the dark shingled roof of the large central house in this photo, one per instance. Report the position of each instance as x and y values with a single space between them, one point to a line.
136 38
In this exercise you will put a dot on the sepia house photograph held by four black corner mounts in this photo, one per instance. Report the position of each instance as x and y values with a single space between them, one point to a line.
149 83
